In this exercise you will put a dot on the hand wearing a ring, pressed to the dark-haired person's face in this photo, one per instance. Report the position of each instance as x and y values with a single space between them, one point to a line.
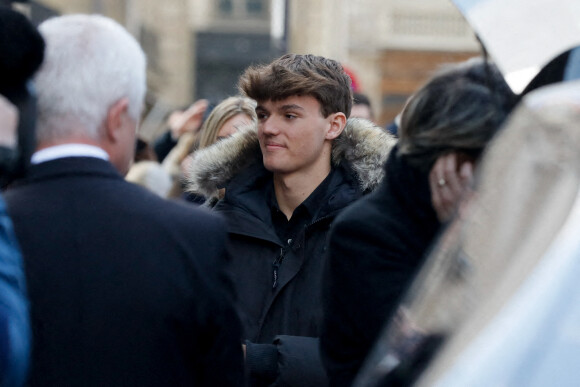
449 183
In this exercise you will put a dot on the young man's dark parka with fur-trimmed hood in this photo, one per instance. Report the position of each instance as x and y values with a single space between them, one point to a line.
288 315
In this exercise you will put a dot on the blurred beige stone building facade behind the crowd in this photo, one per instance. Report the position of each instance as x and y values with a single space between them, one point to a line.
198 48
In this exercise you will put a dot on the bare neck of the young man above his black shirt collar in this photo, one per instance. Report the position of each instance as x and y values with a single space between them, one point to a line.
291 190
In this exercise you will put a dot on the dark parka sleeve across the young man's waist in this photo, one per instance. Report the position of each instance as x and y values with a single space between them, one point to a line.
289 361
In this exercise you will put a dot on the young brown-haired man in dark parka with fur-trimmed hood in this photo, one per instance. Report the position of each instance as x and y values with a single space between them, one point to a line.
285 183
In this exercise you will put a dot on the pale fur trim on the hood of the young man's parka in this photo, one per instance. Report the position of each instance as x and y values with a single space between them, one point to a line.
362 144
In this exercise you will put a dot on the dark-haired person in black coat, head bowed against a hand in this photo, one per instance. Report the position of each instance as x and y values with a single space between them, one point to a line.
378 244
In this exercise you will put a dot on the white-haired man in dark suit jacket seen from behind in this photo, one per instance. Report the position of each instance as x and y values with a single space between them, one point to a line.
125 288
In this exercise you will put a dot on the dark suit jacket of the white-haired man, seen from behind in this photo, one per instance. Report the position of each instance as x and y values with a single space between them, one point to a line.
123 285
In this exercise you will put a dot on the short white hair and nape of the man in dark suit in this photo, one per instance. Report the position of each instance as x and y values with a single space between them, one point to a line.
91 63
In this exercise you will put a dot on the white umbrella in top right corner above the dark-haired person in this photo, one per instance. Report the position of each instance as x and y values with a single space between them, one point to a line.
522 36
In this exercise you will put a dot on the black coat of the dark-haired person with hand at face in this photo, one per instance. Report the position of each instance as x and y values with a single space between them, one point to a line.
376 248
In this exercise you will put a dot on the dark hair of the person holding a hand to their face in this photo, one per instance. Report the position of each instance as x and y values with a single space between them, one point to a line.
458 110
